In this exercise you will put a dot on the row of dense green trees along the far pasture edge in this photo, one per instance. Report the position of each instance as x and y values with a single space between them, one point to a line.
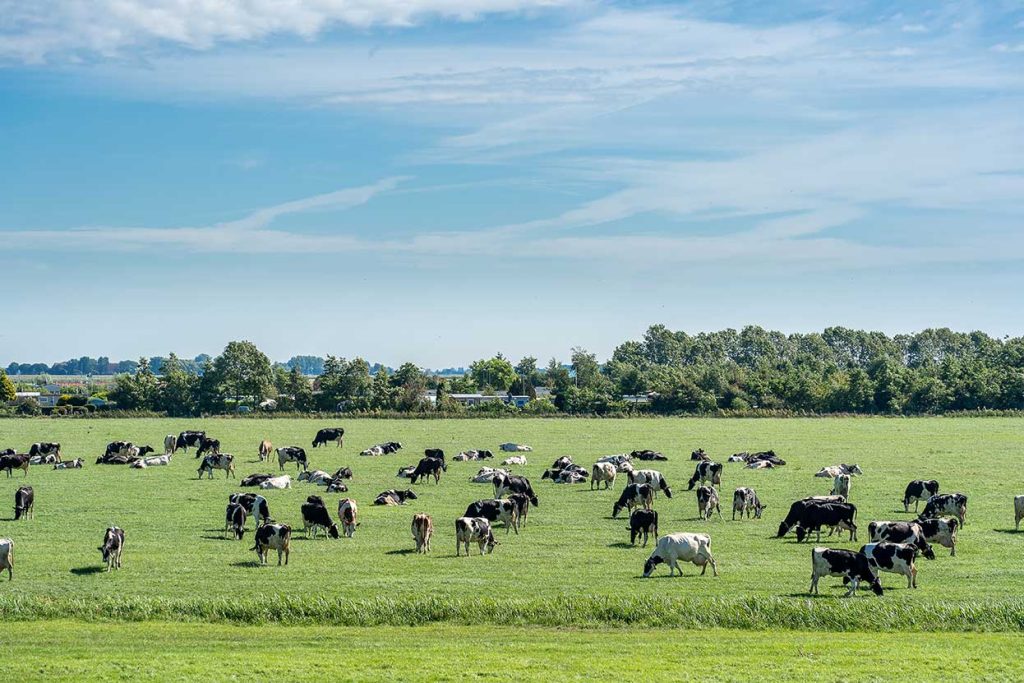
666 372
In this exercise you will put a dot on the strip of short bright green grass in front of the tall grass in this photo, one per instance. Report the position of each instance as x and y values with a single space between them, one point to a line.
72 651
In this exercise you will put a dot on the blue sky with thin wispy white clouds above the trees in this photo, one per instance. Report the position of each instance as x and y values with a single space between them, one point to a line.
438 181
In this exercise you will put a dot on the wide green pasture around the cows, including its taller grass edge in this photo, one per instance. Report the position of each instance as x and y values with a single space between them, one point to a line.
572 565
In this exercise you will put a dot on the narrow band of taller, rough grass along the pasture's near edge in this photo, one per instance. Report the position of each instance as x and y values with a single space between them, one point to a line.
756 613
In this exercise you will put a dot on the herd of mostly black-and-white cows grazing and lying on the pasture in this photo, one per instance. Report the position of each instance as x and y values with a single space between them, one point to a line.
893 546
